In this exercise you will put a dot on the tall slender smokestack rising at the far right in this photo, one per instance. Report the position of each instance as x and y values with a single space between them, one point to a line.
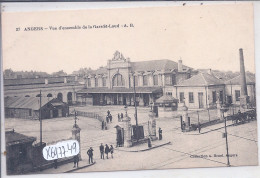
243 96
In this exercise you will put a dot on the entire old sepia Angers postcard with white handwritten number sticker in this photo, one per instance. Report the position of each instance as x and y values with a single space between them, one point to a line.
129 89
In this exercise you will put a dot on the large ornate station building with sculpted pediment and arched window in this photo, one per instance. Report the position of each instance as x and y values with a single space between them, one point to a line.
114 84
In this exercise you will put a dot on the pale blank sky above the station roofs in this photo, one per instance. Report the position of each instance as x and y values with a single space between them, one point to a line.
202 36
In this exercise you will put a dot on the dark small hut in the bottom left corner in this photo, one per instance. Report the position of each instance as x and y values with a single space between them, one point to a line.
19 149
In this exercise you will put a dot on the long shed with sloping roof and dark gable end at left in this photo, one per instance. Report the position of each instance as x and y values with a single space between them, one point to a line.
29 107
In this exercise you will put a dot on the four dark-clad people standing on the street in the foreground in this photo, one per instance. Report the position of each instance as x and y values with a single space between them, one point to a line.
103 150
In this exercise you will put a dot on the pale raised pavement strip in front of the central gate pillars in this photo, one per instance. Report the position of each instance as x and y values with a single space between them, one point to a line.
143 147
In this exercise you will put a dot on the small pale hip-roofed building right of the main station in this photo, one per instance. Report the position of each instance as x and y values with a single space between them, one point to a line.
200 91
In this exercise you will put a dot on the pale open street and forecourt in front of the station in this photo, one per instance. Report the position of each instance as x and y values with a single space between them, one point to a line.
187 150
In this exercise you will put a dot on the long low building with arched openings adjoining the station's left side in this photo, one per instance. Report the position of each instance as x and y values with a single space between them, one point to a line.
64 88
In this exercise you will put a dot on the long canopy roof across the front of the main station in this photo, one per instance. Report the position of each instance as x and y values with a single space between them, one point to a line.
121 90
